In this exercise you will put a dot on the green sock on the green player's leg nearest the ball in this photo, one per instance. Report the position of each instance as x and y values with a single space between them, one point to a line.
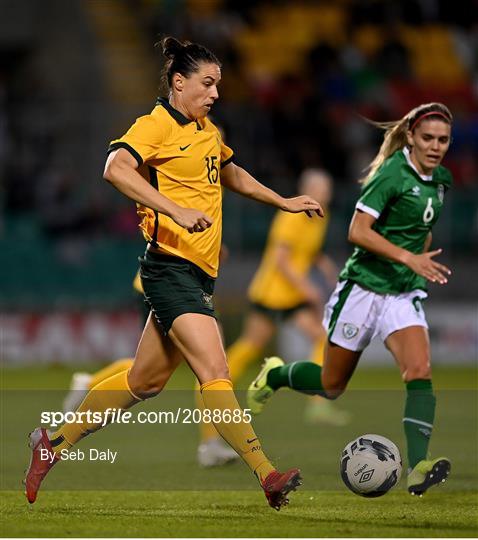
418 419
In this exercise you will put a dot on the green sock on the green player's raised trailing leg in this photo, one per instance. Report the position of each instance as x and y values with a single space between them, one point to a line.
304 377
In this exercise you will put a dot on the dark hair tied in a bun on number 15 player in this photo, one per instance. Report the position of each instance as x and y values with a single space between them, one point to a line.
184 57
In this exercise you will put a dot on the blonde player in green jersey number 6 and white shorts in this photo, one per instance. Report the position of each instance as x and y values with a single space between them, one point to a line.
381 289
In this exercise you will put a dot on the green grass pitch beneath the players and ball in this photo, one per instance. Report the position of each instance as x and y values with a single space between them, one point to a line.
155 488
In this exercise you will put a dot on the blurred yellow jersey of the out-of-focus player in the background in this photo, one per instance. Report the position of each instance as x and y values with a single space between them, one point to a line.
304 236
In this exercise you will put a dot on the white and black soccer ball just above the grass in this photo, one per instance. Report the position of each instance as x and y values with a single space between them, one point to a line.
371 465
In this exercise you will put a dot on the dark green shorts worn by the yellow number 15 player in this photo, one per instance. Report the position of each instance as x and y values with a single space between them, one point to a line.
174 286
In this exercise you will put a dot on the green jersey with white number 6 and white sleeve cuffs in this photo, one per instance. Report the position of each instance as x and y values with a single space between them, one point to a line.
406 205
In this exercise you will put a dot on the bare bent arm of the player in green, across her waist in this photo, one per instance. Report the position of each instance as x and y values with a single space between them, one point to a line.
362 234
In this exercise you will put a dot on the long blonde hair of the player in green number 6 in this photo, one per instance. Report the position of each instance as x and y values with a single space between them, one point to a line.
395 136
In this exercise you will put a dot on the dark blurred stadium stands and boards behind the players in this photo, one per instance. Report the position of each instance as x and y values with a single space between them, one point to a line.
297 75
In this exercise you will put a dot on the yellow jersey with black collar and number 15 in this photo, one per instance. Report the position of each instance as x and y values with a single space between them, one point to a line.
182 159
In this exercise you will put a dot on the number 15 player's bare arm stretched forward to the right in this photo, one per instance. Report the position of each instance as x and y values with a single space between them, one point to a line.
240 181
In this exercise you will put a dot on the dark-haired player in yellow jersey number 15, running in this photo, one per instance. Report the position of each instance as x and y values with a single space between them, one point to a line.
173 163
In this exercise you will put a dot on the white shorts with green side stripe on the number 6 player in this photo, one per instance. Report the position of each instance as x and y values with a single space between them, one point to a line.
353 316
